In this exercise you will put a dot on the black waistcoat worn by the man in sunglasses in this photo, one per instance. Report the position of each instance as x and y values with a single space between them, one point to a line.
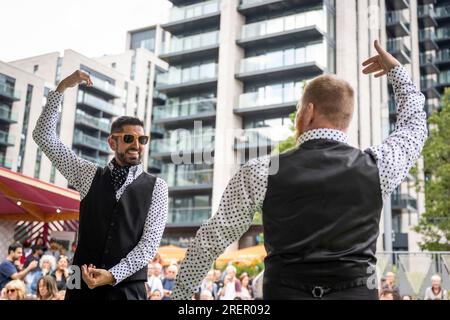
110 229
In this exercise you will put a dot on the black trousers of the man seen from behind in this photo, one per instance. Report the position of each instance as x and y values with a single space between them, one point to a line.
276 291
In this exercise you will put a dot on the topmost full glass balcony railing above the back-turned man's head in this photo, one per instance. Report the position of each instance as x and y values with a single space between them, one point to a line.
284 24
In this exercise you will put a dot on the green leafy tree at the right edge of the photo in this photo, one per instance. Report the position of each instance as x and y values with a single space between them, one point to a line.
434 224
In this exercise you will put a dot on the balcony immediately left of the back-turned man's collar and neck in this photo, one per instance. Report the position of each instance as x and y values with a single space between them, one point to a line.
266 137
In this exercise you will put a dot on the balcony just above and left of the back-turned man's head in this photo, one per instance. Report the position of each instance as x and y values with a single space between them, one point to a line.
308 61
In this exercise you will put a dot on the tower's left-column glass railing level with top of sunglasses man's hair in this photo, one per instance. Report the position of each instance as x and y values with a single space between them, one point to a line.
207 106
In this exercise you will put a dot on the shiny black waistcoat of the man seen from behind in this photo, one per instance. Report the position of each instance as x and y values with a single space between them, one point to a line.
321 214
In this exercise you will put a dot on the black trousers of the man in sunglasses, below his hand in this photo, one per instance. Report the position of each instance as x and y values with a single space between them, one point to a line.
134 290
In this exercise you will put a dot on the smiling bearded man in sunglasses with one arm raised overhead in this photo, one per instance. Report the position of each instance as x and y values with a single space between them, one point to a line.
123 210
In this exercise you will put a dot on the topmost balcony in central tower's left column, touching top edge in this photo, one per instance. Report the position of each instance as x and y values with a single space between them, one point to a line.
194 16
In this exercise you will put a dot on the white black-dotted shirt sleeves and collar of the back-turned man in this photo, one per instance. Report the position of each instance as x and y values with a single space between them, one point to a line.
245 193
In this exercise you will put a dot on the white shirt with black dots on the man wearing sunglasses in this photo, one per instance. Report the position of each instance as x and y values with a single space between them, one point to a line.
80 174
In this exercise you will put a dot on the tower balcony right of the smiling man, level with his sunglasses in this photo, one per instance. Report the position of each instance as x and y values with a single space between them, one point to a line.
182 143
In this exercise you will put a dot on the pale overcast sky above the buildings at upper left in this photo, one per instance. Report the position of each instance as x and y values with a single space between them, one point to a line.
91 27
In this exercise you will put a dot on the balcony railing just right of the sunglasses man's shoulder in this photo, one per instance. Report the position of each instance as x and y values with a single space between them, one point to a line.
188 178
